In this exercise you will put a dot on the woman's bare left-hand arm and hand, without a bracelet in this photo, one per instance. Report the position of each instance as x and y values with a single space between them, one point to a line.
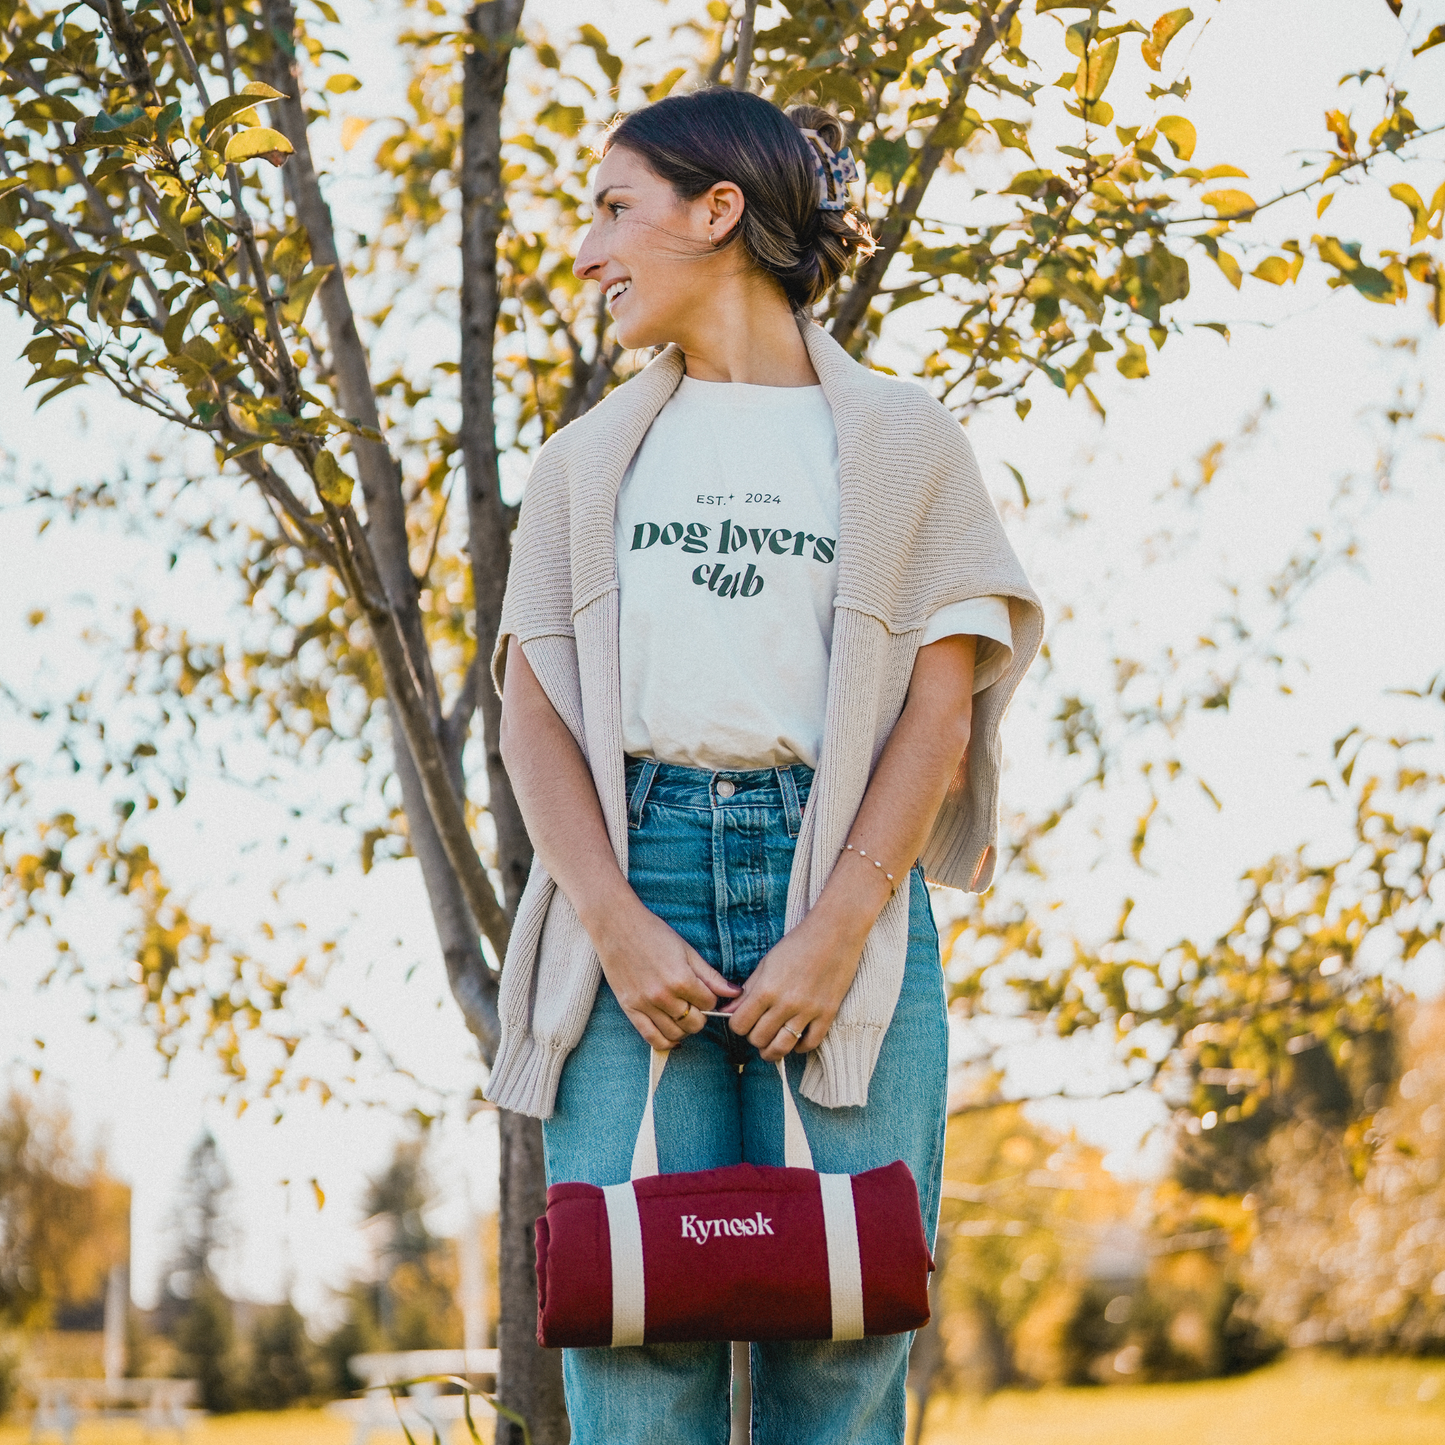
654 973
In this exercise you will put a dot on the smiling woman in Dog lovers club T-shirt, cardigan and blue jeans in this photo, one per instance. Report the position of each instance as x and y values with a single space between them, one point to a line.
759 611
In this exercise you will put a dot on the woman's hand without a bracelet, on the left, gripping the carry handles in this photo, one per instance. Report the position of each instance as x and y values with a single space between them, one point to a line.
663 985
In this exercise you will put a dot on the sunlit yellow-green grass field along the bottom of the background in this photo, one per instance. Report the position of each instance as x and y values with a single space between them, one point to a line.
1314 1399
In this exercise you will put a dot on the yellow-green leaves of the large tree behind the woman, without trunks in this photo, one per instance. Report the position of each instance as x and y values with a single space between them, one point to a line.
145 259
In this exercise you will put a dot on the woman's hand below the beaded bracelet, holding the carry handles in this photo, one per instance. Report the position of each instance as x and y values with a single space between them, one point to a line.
795 992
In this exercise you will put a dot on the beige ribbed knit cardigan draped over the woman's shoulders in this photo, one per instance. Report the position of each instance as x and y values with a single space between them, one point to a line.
917 532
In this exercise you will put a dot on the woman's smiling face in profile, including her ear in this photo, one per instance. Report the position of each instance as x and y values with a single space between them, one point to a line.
651 254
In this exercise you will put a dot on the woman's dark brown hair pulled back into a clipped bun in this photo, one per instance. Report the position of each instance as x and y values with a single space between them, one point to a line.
723 135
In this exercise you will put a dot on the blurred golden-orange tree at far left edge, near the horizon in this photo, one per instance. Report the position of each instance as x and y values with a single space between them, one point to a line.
64 1220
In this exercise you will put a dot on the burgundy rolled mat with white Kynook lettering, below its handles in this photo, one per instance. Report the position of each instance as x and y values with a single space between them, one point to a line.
739 1254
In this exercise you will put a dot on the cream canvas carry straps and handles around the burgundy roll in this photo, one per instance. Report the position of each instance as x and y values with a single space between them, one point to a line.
625 1225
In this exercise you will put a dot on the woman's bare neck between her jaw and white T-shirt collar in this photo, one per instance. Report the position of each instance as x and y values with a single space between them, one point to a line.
746 333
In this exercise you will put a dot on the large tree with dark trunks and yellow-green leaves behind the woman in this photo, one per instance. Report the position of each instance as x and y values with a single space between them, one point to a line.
142 239
